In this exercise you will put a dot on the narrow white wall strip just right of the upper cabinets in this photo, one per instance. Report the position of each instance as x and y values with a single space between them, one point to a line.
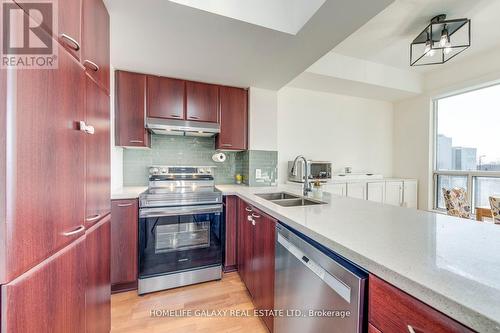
263 108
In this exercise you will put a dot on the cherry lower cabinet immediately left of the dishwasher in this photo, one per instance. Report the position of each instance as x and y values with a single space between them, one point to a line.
256 262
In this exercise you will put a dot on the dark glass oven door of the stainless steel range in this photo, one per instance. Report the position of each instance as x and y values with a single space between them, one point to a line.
175 239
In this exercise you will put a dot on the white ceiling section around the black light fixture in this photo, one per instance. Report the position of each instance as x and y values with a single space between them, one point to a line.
386 38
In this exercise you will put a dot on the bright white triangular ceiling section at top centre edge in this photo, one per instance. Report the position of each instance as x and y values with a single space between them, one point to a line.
282 15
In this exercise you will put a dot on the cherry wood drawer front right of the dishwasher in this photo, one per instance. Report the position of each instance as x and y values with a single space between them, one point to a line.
392 310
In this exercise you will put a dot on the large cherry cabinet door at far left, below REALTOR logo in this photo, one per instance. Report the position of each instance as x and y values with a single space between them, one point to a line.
45 183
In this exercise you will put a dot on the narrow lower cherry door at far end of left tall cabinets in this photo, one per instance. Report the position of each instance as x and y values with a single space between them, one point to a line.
98 291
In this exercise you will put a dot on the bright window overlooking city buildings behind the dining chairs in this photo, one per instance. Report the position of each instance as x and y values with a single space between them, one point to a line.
467 145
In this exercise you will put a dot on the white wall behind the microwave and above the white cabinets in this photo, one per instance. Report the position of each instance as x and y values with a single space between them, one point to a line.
348 131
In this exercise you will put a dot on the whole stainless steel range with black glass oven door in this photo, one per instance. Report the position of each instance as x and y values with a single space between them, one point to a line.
180 228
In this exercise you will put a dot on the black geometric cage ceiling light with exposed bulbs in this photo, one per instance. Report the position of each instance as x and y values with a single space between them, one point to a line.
440 41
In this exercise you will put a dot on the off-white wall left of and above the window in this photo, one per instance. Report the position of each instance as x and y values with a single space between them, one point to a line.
413 118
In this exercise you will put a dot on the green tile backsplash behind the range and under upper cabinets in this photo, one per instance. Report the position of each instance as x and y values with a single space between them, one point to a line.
198 151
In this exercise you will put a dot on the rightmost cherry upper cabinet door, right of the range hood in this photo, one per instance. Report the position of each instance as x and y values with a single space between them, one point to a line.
233 119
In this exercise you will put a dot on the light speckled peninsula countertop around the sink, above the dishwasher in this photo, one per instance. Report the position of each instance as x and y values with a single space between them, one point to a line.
449 263
